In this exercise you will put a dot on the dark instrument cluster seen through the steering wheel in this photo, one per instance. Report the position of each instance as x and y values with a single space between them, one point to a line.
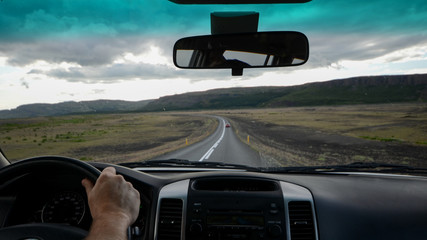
57 199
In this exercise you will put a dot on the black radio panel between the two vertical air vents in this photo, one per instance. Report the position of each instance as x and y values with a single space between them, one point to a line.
218 215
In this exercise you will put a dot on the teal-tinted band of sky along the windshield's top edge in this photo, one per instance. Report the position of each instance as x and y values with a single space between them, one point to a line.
33 18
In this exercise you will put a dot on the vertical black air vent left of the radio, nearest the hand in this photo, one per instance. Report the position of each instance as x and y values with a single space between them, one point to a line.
170 219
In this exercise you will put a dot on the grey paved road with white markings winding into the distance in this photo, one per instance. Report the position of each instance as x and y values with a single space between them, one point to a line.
222 146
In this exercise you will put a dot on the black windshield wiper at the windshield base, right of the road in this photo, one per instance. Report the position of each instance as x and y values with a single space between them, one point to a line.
353 167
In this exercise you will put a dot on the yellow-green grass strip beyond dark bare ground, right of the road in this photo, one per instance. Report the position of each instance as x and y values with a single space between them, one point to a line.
385 122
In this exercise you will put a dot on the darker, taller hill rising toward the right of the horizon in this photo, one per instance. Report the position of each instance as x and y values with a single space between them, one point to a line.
358 90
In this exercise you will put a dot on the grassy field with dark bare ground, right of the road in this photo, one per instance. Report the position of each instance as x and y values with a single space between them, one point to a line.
393 133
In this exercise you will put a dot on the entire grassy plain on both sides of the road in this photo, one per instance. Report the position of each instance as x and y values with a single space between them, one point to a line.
393 133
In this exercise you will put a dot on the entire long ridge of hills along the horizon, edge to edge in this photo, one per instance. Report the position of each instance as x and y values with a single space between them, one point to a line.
358 90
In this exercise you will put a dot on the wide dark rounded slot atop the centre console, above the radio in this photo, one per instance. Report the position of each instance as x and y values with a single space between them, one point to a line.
235 185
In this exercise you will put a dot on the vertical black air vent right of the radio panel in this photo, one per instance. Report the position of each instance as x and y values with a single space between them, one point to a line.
301 220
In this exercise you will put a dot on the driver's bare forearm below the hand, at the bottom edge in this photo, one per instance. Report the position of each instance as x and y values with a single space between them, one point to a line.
106 229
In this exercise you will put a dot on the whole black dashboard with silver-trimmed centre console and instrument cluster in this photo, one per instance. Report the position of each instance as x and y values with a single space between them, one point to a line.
223 204
